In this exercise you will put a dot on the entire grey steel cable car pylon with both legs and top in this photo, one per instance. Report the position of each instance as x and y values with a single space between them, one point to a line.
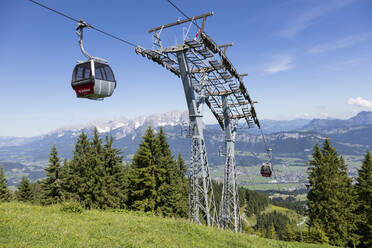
208 77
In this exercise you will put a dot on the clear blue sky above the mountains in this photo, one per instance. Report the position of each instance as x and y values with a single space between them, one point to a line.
305 59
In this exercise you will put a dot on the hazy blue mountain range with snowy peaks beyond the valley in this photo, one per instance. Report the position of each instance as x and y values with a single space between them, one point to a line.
292 141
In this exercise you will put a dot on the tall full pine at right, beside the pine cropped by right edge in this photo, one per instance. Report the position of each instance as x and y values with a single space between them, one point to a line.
331 199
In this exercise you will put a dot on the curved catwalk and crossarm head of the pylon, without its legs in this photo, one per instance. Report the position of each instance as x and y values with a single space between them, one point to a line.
210 69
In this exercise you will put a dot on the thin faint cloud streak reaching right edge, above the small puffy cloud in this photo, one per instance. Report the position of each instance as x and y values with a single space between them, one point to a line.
341 43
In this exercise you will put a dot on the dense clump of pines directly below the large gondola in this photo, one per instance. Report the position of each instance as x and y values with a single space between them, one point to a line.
95 175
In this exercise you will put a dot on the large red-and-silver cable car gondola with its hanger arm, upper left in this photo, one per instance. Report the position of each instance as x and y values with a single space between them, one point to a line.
92 79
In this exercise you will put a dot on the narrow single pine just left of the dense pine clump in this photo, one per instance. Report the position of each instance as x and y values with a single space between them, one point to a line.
51 191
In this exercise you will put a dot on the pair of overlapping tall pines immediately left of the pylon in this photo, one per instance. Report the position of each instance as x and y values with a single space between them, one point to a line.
157 180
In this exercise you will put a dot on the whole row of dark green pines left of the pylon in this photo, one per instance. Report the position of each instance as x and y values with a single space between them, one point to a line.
96 177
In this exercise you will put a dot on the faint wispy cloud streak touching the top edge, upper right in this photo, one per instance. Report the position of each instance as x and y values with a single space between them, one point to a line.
312 16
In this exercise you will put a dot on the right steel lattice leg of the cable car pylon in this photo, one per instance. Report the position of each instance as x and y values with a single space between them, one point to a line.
229 207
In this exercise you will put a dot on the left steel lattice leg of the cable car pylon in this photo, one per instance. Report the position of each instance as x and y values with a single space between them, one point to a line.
201 196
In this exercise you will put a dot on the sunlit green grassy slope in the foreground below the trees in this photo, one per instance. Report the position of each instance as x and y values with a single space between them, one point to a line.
23 225
